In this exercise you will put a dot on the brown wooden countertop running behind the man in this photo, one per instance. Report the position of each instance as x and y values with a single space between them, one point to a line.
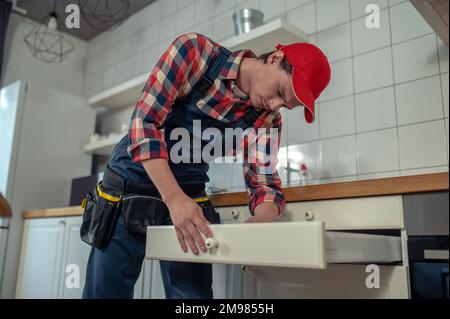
374 187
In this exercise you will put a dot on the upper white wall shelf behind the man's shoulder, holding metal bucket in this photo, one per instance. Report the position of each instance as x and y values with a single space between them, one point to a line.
260 40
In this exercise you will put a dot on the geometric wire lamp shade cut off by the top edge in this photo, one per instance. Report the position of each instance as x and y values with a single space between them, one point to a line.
102 15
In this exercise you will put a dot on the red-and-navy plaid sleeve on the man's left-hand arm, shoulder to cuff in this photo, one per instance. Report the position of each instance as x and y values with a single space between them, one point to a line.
179 68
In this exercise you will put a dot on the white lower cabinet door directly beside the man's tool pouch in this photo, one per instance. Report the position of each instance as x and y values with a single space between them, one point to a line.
73 268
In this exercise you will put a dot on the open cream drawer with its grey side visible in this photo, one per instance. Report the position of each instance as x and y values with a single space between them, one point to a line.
280 244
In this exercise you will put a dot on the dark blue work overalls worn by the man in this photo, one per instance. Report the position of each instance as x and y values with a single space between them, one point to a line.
112 272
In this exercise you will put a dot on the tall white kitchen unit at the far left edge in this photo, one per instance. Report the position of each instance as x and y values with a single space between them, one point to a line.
41 145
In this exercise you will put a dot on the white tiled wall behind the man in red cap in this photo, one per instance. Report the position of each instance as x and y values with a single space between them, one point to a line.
365 63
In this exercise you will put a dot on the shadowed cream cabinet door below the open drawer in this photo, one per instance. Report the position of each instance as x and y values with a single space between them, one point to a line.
337 282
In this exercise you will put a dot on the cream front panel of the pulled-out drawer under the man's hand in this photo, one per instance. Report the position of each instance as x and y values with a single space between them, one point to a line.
290 244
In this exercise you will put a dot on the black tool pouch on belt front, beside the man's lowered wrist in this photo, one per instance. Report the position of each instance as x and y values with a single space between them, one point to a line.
140 211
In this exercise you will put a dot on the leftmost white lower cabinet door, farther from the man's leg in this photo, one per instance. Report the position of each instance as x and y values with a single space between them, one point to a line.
41 258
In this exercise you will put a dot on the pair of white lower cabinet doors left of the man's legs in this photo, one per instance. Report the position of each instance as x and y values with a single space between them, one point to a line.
53 259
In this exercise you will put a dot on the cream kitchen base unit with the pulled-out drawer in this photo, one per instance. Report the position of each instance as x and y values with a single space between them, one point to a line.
312 252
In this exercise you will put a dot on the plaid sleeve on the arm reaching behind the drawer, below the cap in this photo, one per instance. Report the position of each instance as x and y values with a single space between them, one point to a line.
261 177
